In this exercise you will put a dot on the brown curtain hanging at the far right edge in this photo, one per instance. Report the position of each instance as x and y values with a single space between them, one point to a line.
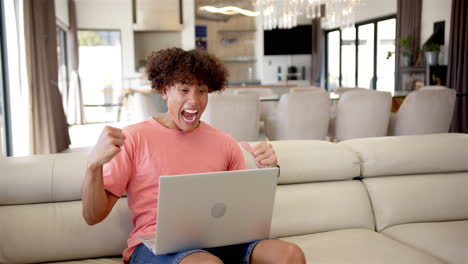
457 76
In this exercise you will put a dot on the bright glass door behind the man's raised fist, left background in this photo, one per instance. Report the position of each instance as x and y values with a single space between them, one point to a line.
101 74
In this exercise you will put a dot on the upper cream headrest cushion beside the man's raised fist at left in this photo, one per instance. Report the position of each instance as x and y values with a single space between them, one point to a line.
42 178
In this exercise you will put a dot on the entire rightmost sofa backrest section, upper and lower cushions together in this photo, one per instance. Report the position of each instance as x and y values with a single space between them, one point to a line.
429 177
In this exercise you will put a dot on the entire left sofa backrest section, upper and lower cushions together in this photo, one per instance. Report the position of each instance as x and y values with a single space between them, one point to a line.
41 212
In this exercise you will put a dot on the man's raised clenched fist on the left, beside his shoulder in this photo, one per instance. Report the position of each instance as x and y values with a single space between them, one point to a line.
108 145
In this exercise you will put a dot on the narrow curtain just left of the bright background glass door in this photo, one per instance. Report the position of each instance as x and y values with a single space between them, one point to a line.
75 113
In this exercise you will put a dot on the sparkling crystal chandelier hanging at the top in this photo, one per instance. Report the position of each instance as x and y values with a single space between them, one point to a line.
284 13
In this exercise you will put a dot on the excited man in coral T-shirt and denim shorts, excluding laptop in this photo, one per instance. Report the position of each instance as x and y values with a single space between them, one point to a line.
132 159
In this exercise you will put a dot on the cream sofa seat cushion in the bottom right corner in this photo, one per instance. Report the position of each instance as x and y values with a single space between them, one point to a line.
445 240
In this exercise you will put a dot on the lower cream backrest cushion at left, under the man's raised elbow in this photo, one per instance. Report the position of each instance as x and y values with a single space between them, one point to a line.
56 232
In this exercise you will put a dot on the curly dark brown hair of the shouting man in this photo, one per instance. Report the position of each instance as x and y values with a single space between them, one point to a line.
169 66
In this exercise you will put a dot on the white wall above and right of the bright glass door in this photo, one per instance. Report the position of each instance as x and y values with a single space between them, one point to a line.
111 15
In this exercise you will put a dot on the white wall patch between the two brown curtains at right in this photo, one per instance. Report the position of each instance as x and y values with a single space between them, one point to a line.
435 11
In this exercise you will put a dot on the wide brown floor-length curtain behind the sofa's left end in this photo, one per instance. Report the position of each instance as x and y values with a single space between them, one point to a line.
48 122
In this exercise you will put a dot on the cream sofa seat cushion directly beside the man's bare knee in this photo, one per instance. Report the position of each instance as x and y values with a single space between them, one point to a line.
357 246
